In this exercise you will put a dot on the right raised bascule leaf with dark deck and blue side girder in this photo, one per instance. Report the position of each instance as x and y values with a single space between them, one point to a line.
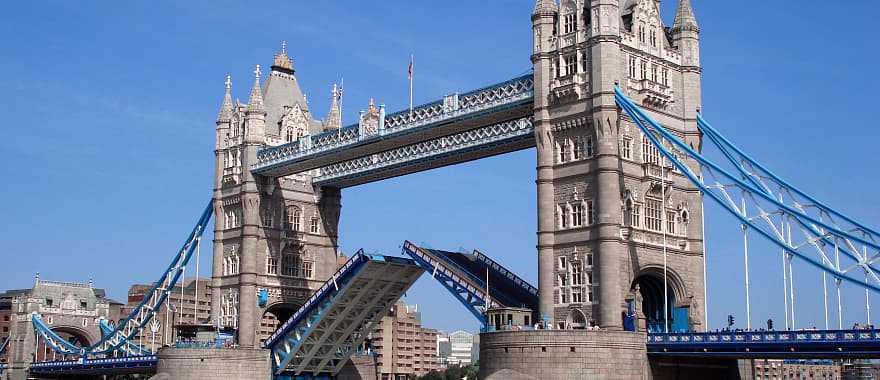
465 275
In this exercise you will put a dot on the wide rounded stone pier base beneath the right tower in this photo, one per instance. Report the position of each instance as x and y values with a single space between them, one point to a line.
563 354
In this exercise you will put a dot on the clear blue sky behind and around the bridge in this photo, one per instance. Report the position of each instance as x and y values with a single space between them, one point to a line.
109 115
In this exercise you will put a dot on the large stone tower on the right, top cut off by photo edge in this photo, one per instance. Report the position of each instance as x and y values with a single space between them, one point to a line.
609 206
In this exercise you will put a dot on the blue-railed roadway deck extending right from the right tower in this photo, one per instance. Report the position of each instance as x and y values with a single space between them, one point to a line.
767 344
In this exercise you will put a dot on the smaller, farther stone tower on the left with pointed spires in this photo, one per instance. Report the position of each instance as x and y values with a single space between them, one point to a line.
275 237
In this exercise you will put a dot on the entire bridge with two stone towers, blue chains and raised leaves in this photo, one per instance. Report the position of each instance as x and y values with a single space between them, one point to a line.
612 108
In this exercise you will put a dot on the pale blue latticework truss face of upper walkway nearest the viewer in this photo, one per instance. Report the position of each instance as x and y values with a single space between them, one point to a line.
516 93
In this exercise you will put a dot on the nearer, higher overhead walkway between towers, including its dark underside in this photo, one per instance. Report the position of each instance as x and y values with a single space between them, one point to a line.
454 114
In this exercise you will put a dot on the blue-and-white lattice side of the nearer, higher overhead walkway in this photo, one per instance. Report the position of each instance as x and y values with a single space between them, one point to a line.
456 106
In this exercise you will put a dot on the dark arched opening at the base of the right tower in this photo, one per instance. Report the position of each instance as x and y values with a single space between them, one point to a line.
651 298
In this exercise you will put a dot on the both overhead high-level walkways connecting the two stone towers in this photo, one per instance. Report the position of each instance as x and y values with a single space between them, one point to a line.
461 127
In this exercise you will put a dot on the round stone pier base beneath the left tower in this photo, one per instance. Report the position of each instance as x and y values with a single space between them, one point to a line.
200 364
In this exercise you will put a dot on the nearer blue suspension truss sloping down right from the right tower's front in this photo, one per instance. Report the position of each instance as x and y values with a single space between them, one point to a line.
757 197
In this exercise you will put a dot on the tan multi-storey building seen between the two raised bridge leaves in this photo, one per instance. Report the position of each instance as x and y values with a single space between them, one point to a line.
403 348
